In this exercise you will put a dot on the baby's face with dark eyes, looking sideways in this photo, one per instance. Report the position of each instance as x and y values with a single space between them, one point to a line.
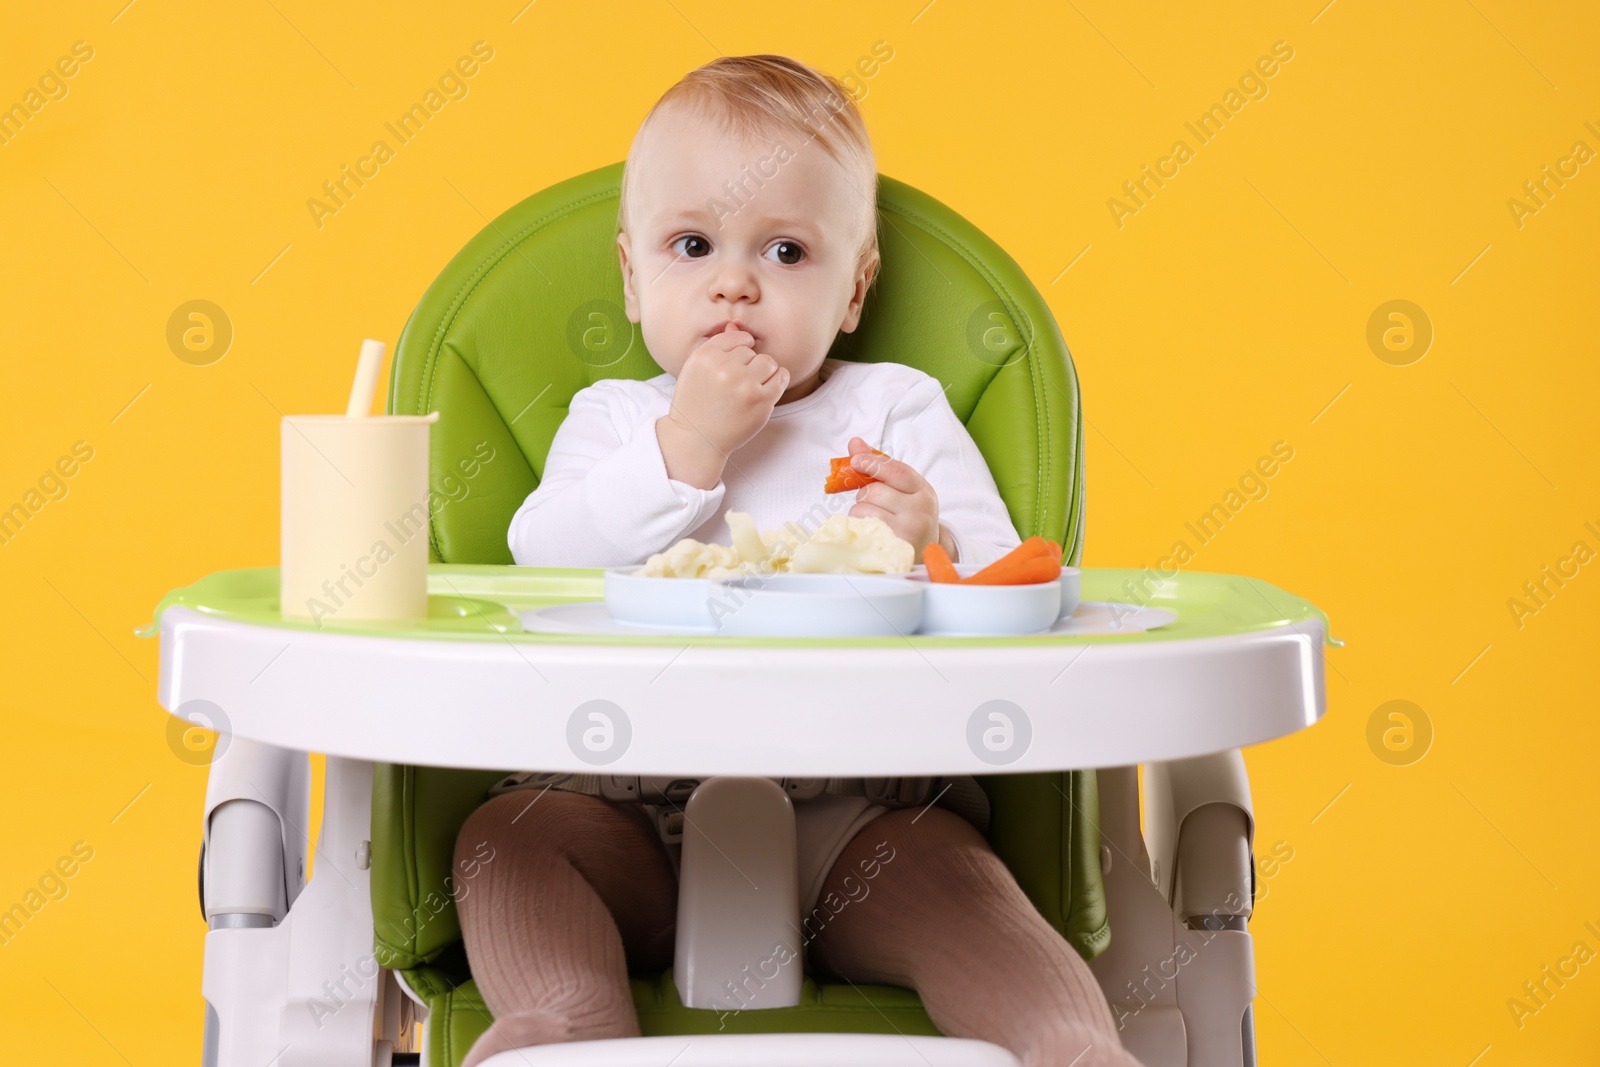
783 265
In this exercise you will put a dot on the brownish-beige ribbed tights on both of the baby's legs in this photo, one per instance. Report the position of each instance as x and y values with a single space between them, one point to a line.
580 892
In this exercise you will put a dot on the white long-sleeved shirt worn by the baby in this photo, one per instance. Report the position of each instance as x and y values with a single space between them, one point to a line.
606 498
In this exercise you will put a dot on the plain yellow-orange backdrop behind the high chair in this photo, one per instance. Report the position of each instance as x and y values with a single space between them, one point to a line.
1230 313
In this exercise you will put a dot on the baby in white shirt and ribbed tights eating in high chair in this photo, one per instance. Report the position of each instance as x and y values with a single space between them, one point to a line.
748 241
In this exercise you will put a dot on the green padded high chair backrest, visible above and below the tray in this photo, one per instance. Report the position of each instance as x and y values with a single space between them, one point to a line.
530 311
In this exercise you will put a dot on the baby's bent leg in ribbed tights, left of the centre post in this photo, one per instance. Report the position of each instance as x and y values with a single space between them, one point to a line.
538 916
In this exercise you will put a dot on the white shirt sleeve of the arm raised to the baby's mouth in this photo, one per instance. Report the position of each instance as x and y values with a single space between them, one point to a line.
606 498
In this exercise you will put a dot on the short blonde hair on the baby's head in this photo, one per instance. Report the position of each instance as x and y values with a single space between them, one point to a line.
756 95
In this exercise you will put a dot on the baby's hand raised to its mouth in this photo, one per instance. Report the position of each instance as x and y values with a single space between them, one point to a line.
727 391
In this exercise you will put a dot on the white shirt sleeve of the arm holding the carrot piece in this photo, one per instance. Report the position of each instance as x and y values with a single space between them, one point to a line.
927 434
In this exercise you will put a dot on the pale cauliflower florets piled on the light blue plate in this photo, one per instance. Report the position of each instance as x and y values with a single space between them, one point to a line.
841 546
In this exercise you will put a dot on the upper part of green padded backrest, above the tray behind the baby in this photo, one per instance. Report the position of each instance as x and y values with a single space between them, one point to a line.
530 311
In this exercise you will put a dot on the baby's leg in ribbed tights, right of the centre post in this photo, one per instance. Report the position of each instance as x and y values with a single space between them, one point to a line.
943 916
